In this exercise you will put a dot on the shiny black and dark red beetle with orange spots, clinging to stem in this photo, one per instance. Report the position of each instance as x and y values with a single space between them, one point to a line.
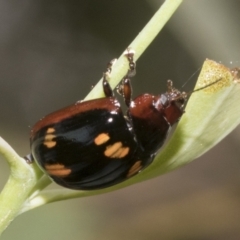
92 145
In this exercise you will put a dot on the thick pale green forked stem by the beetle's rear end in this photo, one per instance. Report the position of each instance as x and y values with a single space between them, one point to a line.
21 180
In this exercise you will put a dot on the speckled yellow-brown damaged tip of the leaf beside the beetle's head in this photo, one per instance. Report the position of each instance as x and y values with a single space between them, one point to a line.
215 76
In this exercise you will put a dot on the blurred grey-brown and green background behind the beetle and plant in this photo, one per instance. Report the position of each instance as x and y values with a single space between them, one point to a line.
51 52
